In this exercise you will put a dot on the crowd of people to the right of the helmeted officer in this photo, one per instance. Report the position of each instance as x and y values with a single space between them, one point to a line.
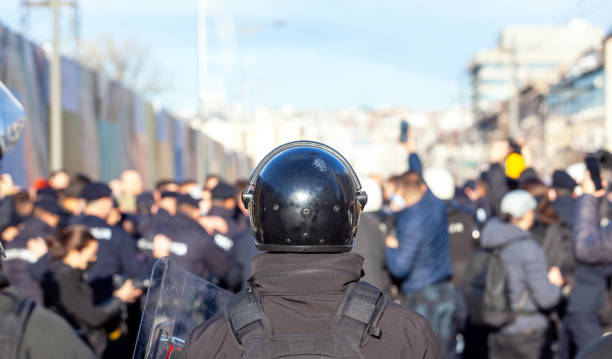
552 242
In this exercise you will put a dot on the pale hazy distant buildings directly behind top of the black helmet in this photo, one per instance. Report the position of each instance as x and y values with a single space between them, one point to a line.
368 138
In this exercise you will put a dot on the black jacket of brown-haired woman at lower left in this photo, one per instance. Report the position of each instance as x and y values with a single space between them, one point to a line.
67 293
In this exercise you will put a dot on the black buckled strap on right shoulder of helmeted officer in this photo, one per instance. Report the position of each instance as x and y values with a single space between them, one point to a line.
360 312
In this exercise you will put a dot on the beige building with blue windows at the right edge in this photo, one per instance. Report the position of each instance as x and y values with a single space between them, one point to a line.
561 117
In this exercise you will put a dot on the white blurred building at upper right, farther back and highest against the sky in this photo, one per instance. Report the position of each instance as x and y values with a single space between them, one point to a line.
526 54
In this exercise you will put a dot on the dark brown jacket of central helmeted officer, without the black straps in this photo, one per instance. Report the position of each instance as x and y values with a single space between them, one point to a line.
299 301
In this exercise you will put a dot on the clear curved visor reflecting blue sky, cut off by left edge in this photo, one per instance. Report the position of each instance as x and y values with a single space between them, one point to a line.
12 120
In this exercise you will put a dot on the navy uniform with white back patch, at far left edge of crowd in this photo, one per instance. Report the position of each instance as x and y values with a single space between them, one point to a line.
18 261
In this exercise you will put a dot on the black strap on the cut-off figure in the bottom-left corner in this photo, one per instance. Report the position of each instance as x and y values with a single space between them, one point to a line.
12 326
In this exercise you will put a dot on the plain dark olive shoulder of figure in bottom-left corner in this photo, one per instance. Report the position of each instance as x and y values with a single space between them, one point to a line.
47 335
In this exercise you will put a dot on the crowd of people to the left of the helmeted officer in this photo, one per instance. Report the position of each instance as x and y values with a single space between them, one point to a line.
86 249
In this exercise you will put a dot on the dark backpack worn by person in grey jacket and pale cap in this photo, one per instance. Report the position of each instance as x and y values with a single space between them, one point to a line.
486 289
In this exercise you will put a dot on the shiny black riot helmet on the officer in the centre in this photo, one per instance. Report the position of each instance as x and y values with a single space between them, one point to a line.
304 197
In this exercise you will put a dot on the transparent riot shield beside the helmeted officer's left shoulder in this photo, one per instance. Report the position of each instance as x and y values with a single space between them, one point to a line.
177 301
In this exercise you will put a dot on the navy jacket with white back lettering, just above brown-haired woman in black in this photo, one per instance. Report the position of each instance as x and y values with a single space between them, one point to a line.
116 255
